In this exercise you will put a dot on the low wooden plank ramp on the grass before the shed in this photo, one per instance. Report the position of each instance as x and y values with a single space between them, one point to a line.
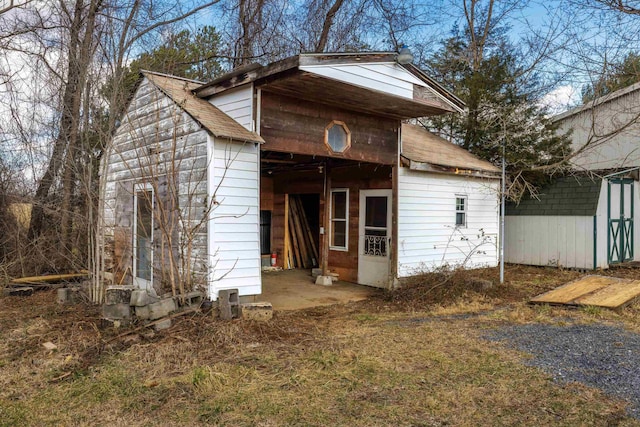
601 291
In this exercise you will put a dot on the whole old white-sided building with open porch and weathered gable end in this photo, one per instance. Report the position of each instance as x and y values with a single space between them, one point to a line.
207 177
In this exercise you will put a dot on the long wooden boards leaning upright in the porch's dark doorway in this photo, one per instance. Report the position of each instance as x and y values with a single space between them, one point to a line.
300 245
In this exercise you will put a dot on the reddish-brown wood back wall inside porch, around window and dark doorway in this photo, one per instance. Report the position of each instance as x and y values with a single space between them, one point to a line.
355 178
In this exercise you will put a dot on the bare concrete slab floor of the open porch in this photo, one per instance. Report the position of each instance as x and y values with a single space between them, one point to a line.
295 289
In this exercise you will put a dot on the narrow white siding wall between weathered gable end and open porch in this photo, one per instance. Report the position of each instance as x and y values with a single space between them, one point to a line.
234 239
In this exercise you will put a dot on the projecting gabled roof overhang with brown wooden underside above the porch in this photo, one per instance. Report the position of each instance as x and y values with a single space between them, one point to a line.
302 76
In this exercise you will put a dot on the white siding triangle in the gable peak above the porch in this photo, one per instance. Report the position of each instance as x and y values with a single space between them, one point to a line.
386 77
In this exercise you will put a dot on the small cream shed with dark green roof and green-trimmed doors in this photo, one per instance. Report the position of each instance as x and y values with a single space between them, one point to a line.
584 222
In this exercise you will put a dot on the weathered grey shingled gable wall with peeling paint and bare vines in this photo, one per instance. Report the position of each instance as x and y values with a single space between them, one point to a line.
157 143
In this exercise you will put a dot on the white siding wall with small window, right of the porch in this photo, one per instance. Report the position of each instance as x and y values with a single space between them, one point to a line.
427 234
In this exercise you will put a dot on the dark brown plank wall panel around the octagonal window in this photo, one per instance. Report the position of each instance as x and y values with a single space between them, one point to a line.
297 126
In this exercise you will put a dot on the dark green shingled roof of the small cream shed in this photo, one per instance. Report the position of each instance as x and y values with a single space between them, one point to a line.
568 196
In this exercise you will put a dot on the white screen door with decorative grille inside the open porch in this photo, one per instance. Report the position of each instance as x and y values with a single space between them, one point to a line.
375 238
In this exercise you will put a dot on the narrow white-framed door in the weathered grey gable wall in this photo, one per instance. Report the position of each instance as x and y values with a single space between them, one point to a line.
143 237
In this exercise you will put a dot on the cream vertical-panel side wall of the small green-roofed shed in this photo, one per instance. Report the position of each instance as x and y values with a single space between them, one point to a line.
558 241
